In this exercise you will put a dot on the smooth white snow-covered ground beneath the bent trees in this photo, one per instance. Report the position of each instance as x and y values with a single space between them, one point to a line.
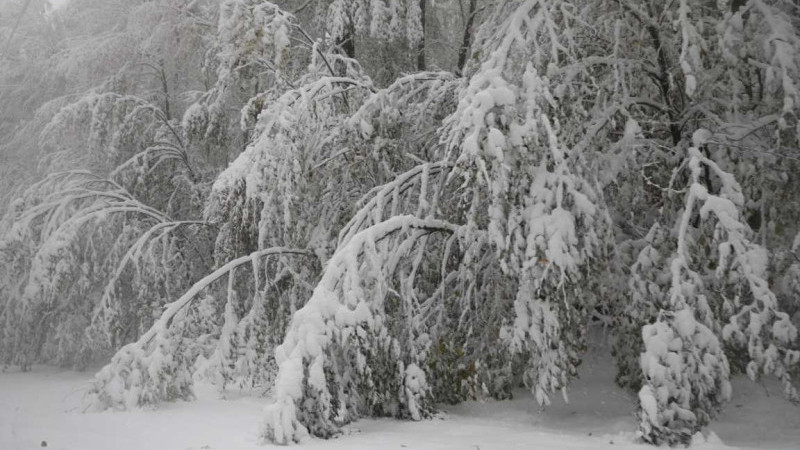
45 406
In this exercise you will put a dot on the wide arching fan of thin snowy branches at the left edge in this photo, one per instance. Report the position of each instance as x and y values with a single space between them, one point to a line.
66 232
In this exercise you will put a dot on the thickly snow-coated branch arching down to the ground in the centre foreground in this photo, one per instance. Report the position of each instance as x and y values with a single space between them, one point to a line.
338 344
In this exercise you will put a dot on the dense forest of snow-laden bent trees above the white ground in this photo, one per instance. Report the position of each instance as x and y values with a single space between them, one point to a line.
370 208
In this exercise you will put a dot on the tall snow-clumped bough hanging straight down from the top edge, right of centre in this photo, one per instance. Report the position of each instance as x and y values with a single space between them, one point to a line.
510 136
